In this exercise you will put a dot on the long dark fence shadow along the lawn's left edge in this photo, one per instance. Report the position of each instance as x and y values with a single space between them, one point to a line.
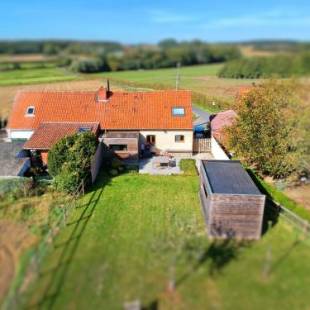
68 248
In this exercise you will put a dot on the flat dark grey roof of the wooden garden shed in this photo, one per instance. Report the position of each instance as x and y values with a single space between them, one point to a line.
229 177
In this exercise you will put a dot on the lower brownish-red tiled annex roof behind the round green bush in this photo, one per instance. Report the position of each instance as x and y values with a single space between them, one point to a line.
48 134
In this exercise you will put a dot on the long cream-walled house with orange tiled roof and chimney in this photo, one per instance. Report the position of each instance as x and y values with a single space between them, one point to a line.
122 120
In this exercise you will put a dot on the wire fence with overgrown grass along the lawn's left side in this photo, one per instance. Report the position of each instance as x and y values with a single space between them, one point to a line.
15 299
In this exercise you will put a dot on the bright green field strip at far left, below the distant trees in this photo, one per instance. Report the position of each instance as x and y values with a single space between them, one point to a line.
33 76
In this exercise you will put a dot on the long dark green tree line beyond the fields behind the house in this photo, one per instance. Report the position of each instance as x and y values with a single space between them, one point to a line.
90 57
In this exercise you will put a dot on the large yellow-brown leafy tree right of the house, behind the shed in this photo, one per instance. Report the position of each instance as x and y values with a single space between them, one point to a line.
264 133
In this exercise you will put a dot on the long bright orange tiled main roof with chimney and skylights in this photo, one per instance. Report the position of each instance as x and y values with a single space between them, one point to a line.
133 110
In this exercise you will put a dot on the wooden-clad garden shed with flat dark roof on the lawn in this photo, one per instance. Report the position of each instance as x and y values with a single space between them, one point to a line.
232 204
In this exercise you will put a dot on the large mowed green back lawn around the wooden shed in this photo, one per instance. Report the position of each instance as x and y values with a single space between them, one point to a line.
140 237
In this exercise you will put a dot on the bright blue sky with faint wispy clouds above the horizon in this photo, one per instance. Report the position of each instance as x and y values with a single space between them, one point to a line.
150 21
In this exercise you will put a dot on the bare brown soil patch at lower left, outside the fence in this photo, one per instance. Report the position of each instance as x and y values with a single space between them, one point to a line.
14 239
